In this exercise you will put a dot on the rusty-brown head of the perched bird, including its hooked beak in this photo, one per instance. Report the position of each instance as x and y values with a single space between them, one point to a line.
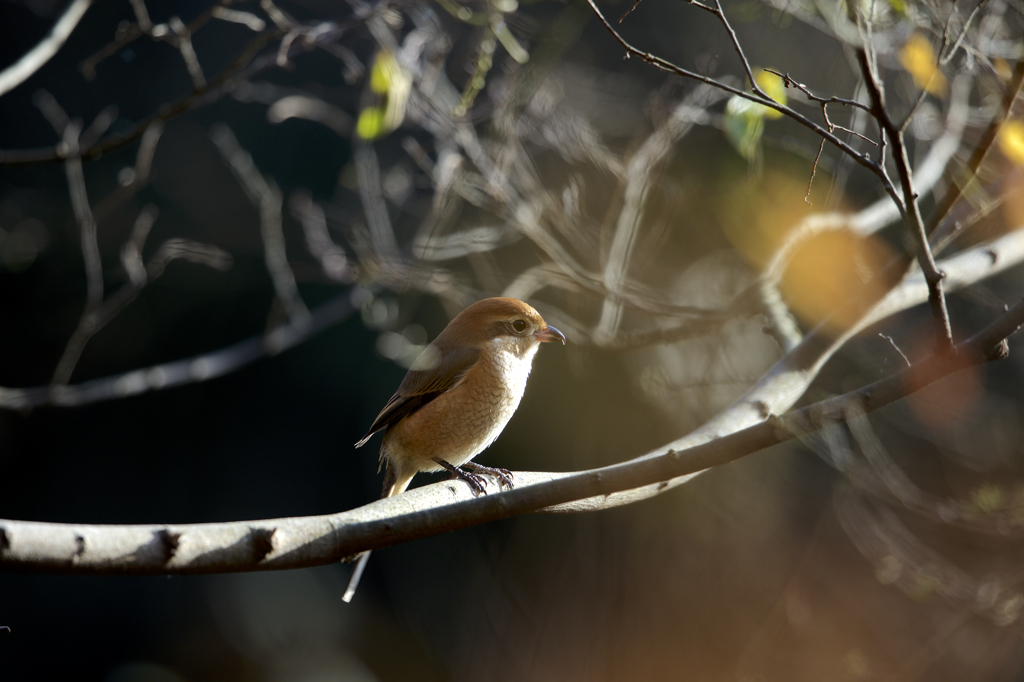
507 322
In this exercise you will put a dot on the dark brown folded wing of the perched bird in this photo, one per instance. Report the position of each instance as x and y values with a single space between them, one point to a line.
422 386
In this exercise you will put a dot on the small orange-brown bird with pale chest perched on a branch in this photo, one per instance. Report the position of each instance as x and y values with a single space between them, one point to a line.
457 398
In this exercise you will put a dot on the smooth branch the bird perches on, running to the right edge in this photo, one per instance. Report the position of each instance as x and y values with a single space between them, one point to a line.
292 543
